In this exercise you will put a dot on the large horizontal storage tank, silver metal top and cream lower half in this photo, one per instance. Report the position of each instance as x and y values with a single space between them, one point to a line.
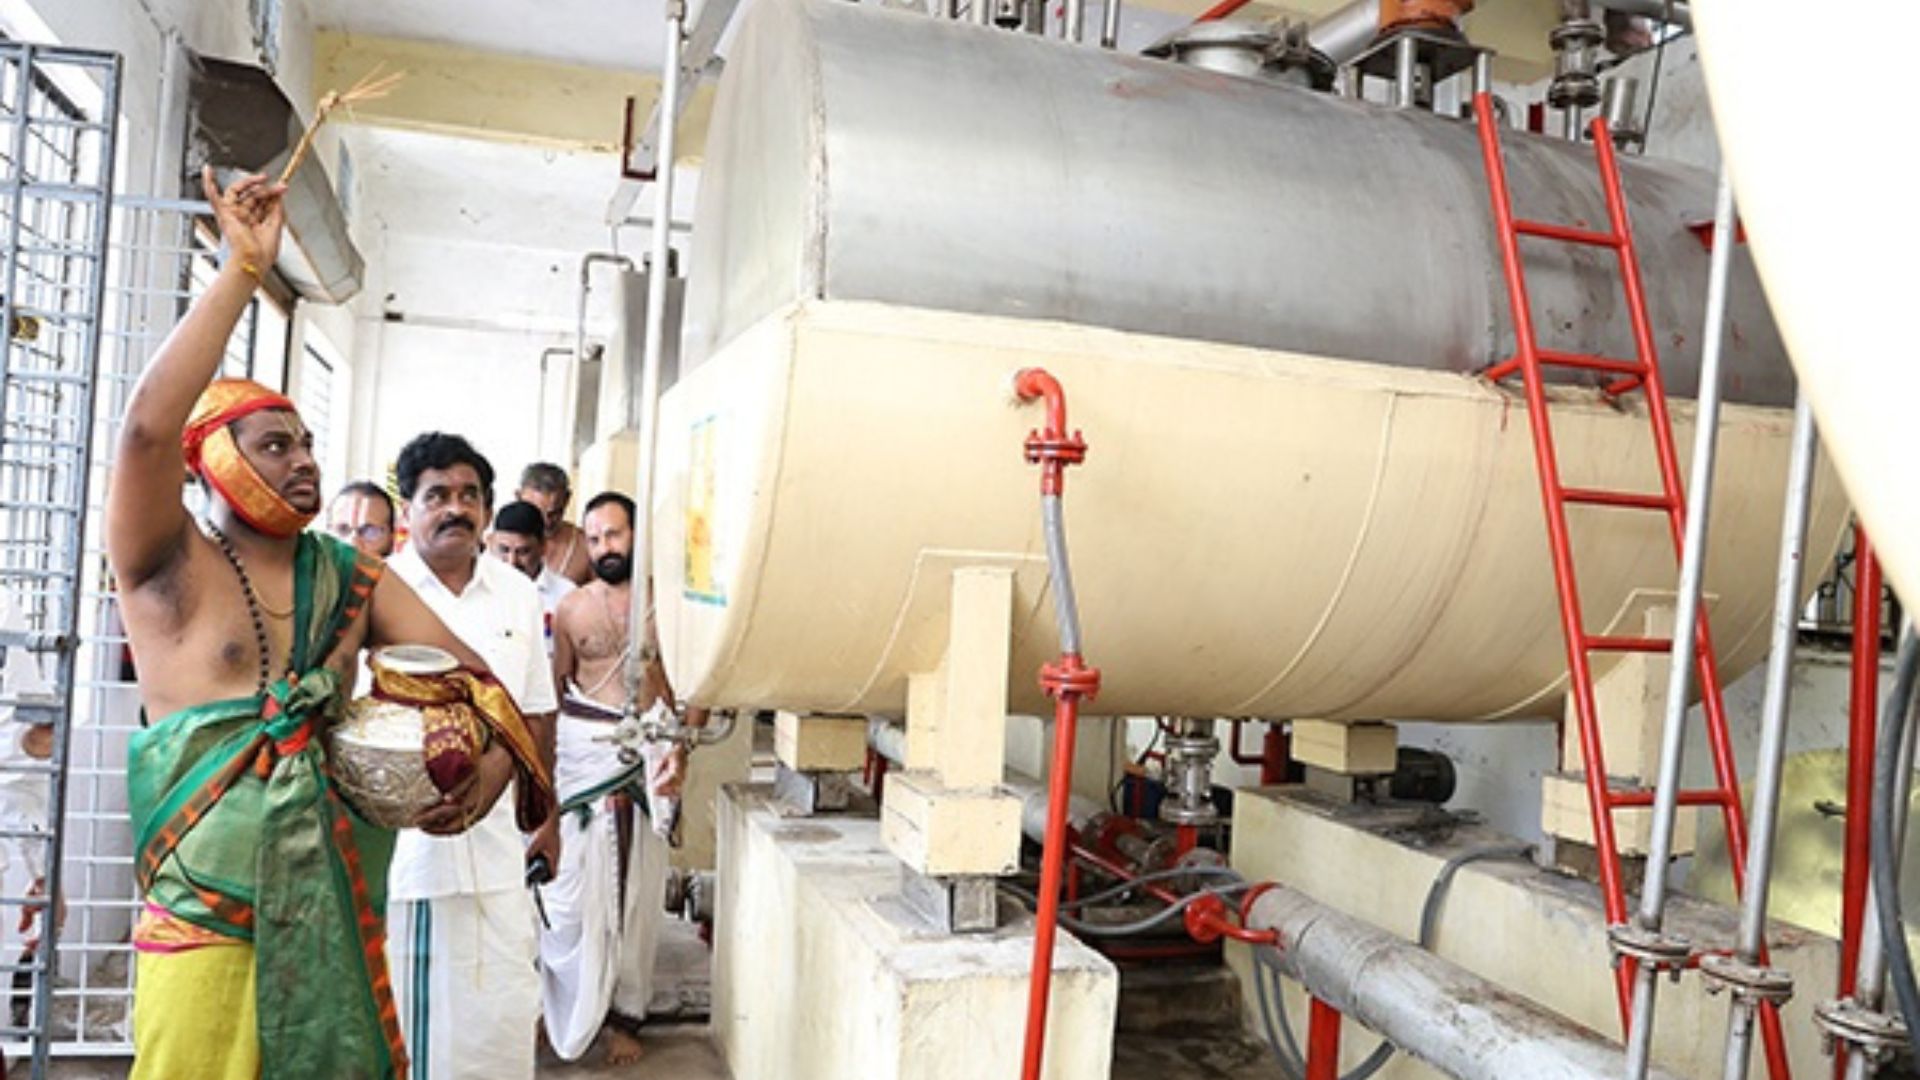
1266 308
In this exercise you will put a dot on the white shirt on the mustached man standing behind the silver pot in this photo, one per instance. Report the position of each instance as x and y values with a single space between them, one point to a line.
498 618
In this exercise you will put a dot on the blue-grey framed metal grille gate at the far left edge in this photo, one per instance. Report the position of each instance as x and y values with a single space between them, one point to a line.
57 168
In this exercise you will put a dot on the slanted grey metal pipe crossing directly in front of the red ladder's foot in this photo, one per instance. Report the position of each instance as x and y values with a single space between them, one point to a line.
1687 626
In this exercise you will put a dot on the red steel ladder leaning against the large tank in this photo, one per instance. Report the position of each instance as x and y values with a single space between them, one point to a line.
1639 374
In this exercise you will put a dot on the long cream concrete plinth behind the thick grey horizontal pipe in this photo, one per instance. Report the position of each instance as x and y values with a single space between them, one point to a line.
1531 931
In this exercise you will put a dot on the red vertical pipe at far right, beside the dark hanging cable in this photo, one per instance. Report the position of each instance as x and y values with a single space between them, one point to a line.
1863 706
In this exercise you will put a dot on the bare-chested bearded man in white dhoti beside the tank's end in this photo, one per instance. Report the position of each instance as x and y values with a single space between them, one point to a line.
606 904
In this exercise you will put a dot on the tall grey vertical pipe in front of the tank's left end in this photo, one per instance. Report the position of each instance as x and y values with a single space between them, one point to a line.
640 645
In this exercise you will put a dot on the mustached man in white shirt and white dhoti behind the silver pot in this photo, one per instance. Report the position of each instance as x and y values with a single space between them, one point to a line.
462 927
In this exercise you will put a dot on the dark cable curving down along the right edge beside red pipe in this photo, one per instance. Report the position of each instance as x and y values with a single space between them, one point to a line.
1890 800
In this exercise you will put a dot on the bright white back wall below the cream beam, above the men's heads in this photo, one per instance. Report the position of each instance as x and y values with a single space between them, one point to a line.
473 274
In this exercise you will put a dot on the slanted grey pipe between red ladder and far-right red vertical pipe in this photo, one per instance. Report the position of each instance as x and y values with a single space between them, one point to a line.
1771 766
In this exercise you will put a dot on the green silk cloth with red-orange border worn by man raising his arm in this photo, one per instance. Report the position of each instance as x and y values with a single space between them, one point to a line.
241 833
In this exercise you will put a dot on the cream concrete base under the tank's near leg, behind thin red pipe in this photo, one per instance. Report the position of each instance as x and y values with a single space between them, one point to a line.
823 971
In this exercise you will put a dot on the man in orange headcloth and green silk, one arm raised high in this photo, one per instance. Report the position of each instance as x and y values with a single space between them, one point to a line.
260 950
